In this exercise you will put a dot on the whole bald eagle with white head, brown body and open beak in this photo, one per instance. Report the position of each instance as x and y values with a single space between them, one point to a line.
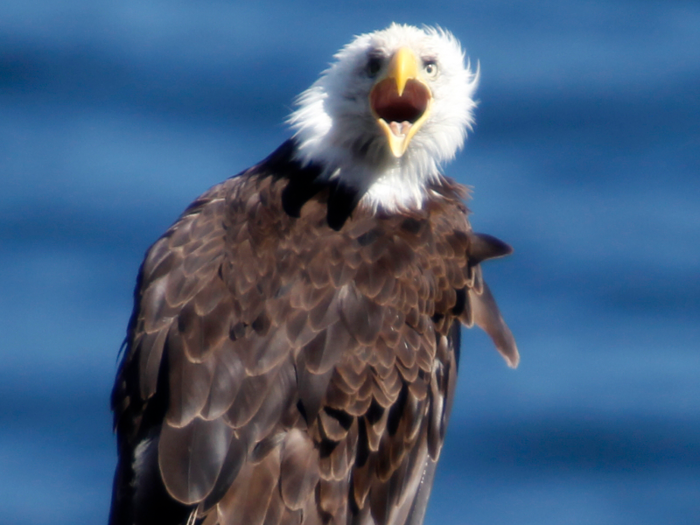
293 349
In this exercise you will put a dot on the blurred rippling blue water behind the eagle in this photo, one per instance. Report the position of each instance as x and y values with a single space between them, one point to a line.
585 157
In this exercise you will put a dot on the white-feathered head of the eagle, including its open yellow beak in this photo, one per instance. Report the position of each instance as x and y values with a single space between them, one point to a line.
387 113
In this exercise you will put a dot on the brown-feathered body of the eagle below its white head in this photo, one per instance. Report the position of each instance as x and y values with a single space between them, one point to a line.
279 371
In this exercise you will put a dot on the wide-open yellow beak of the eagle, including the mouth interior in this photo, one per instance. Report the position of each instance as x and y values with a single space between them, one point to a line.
400 101
